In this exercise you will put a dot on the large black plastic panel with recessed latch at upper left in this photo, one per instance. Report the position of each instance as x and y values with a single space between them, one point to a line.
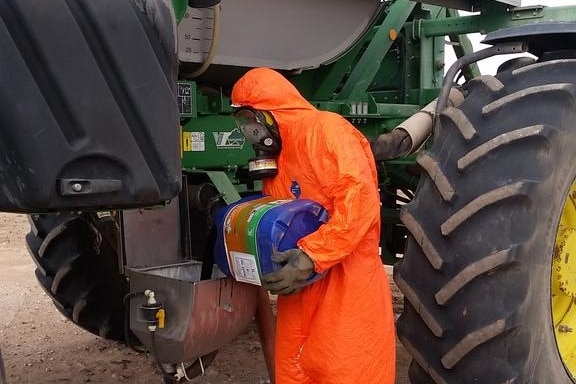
87 104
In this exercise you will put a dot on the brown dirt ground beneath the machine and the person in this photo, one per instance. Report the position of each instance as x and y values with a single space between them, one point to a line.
41 346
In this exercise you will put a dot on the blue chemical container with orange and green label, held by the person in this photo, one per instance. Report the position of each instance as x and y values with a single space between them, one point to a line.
252 228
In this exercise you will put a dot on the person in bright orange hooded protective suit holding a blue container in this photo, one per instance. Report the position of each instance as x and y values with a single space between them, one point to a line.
339 329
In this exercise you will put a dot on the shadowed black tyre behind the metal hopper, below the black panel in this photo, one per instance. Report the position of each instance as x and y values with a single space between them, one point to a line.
77 265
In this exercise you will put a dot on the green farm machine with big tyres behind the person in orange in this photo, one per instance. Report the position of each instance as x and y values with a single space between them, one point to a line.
130 146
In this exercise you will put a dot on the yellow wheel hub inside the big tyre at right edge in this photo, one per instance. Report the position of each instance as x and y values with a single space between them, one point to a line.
564 284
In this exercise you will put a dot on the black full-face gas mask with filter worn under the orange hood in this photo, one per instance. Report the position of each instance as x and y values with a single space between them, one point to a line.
259 128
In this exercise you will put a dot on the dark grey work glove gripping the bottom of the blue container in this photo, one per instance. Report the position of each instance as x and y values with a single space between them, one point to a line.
297 267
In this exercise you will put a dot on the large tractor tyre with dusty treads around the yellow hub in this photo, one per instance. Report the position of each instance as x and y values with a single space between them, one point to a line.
480 264
